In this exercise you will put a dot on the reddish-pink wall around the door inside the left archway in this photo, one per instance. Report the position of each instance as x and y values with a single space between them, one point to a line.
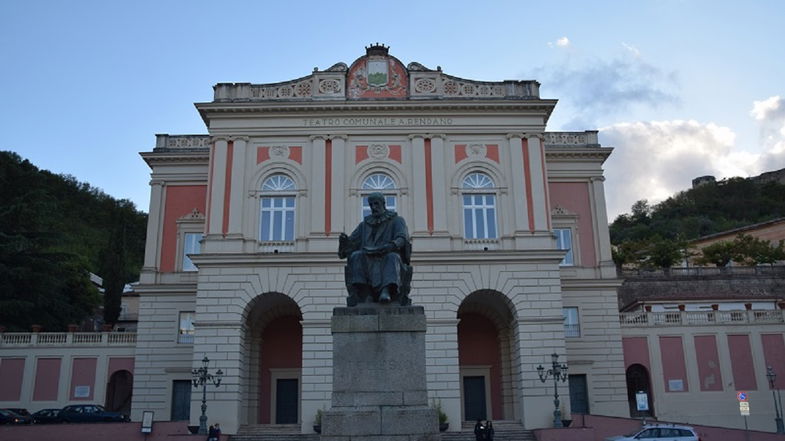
282 343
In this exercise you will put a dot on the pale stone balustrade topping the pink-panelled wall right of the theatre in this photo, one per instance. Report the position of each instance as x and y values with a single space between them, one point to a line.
699 318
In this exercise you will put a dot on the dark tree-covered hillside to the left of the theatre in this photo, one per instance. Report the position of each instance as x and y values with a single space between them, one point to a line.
53 231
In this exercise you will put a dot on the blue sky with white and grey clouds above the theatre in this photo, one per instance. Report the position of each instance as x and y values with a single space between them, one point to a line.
680 88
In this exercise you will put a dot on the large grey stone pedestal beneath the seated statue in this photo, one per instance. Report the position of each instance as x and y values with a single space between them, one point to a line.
379 387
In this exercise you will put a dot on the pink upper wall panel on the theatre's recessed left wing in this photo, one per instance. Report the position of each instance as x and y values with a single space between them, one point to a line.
179 200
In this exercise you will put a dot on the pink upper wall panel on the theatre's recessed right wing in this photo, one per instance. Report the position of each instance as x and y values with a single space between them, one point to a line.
574 196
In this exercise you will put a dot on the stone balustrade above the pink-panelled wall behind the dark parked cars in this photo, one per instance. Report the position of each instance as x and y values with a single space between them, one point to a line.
20 339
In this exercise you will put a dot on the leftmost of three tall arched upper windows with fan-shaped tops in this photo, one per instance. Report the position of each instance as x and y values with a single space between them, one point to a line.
277 209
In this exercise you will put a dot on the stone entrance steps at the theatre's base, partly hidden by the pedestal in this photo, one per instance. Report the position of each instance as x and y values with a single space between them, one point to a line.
503 431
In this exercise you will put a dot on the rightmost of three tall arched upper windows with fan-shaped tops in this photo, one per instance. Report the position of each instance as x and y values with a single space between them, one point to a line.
479 206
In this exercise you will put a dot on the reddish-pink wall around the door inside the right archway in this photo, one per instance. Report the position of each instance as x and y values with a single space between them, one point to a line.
478 344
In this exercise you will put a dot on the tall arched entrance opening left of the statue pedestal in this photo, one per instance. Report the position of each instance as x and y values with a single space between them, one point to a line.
274 365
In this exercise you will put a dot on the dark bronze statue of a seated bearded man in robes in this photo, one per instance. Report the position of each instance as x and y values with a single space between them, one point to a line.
379 252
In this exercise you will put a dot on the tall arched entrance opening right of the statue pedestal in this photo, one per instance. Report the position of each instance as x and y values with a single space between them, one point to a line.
485 352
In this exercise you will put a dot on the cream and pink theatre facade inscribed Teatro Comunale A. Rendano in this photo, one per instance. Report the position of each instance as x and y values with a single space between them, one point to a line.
511 253
